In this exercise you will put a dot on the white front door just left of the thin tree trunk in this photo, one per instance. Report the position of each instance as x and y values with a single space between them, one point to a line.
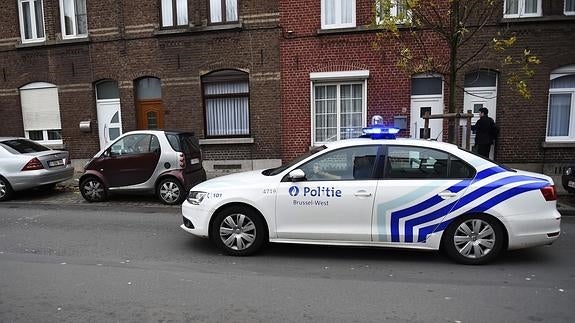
420 105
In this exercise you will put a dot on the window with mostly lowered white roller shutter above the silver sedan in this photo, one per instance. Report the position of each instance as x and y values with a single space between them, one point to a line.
41 113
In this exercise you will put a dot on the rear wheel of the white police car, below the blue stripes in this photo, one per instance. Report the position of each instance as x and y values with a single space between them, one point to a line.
474 240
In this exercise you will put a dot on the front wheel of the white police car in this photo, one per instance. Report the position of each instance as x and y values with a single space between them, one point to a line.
238 231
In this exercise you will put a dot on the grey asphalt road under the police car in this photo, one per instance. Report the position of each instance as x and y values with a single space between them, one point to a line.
98 264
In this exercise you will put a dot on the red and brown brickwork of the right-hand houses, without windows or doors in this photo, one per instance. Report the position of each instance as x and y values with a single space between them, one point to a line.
306 48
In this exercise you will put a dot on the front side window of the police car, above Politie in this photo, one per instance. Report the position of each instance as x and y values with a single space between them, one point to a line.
352 163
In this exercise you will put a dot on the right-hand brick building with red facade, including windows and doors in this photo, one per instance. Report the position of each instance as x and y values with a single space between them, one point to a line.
333 81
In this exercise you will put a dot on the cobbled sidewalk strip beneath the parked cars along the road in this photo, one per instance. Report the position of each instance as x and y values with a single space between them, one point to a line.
67 193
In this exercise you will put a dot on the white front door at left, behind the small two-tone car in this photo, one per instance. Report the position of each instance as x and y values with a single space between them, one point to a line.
109 120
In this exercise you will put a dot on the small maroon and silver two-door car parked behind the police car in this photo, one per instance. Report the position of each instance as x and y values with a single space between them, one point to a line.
165 163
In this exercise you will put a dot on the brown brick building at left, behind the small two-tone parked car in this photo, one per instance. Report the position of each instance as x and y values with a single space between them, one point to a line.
205 66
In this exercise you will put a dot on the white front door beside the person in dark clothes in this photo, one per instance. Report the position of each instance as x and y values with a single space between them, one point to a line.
475 99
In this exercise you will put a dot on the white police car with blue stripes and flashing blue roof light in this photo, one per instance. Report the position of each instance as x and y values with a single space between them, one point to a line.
379 192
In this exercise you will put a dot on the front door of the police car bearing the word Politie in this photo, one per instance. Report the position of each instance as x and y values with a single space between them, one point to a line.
335 202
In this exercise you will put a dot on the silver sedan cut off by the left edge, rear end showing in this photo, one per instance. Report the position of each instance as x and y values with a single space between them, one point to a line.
25 164
